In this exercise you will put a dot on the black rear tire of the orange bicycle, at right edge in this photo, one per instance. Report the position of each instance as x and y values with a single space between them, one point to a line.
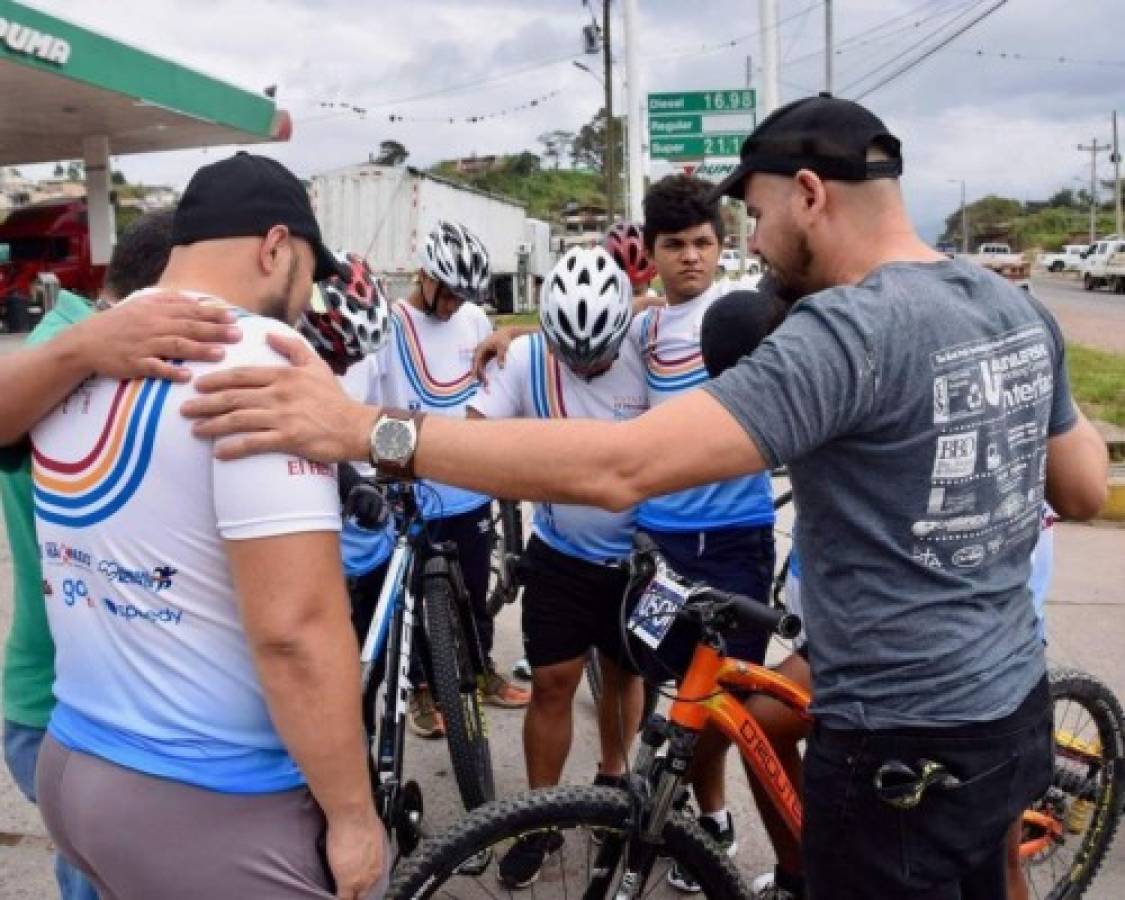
1108 771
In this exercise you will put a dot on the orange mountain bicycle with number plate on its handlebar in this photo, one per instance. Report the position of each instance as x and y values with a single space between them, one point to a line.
618 843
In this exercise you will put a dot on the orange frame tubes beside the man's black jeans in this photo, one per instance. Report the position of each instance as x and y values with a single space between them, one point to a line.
701 700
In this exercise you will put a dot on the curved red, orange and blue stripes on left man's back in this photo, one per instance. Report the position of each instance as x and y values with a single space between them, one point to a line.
91 490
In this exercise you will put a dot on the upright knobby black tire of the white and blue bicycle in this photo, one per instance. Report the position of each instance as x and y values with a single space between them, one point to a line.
457 691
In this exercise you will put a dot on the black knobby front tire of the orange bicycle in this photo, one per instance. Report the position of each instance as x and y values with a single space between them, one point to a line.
606 809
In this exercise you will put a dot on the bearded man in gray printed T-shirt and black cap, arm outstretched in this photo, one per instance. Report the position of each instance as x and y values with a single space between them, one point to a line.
923 409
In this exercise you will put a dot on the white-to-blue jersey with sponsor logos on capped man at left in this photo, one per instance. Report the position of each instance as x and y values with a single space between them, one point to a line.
152 669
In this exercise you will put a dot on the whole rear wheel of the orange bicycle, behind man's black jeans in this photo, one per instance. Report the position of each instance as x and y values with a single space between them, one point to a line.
1068 833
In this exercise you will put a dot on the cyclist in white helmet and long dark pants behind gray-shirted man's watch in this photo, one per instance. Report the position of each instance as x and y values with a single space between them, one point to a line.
427 368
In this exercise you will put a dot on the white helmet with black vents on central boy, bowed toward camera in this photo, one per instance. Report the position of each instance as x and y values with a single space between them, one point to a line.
586 309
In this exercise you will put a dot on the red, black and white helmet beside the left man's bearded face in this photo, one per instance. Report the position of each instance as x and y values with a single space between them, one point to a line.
345 321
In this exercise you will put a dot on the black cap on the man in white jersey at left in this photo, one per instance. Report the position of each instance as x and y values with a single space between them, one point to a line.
245 196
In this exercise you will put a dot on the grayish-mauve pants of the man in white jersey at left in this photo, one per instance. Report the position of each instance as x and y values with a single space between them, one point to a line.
139 838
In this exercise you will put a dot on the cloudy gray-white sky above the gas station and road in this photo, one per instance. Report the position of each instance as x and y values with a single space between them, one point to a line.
1002 107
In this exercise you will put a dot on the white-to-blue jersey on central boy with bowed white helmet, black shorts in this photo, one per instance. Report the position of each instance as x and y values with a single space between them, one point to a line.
535 385
